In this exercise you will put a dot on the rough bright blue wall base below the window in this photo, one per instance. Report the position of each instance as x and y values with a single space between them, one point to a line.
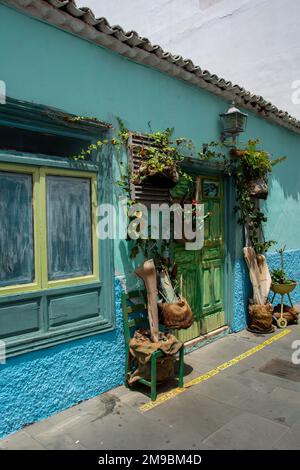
40 384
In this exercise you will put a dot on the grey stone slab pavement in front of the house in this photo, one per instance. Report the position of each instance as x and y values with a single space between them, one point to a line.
242 407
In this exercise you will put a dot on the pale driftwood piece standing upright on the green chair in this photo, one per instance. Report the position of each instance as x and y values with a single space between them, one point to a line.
147 273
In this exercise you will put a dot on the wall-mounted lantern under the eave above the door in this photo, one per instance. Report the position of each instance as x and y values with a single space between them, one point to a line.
234 123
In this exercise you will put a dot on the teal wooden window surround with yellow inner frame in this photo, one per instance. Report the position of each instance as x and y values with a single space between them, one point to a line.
55 310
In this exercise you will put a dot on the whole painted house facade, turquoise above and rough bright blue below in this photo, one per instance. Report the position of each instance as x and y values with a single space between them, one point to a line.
42 64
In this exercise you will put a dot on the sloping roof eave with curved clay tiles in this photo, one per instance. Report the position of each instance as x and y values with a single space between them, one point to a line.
81 22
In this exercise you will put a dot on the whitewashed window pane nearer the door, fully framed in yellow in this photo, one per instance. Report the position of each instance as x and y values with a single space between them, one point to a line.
69 227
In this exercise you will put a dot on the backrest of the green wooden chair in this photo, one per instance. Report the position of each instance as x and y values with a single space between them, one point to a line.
134 305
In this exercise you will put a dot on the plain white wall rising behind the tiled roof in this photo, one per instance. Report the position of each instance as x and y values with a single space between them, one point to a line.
255 43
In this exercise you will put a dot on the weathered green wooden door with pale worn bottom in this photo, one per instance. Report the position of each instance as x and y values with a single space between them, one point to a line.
203 270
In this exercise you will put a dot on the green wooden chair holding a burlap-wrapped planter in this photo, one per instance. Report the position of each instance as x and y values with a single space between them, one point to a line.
135 317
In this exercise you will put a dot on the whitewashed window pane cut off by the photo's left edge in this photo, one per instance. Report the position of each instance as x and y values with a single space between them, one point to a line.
16 229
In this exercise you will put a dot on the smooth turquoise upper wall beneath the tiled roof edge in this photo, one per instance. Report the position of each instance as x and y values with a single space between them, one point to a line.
46 65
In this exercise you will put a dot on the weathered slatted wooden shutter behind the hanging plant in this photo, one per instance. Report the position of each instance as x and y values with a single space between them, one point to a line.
145 193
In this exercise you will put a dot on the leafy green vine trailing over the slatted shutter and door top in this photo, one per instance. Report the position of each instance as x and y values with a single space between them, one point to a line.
162 155
